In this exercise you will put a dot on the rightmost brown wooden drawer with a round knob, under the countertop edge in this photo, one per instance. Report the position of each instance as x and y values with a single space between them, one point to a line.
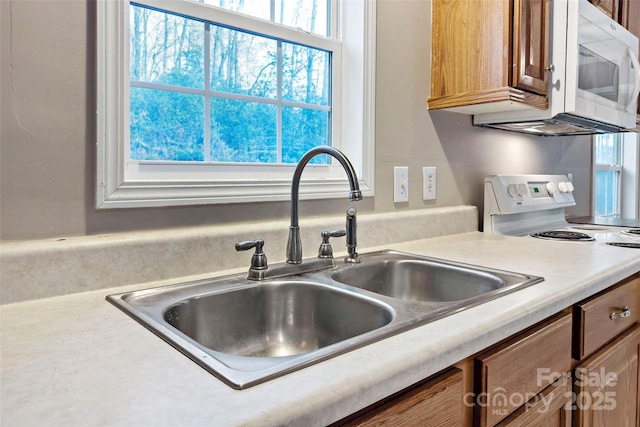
598 319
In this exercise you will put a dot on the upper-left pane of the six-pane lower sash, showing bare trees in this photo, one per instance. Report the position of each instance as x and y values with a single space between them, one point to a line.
166 48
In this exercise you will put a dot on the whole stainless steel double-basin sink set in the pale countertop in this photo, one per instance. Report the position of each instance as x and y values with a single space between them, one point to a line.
247 332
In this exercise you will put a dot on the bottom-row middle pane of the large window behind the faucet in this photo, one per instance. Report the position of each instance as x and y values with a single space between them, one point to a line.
243 131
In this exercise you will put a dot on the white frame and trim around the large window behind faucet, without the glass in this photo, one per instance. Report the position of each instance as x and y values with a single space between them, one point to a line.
124 184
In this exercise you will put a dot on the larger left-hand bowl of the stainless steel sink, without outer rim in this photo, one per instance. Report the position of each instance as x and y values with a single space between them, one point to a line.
279 319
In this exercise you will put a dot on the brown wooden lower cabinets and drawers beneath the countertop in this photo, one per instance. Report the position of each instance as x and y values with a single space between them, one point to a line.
580 367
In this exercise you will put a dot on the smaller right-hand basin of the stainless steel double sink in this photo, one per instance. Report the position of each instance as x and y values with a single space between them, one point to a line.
420 280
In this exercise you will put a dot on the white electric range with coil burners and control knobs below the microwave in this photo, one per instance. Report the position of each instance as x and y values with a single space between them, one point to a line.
534 206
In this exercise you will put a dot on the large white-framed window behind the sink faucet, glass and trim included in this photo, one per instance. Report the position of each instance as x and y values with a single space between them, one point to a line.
215 102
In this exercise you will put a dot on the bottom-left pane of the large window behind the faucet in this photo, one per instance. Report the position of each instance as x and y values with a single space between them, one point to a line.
166 125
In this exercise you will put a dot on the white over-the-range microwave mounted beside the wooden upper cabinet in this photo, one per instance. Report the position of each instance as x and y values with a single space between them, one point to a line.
595 77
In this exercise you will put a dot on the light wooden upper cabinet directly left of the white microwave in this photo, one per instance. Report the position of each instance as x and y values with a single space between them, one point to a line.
488 55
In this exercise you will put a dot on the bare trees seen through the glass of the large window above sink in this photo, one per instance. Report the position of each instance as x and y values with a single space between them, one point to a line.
202 92
